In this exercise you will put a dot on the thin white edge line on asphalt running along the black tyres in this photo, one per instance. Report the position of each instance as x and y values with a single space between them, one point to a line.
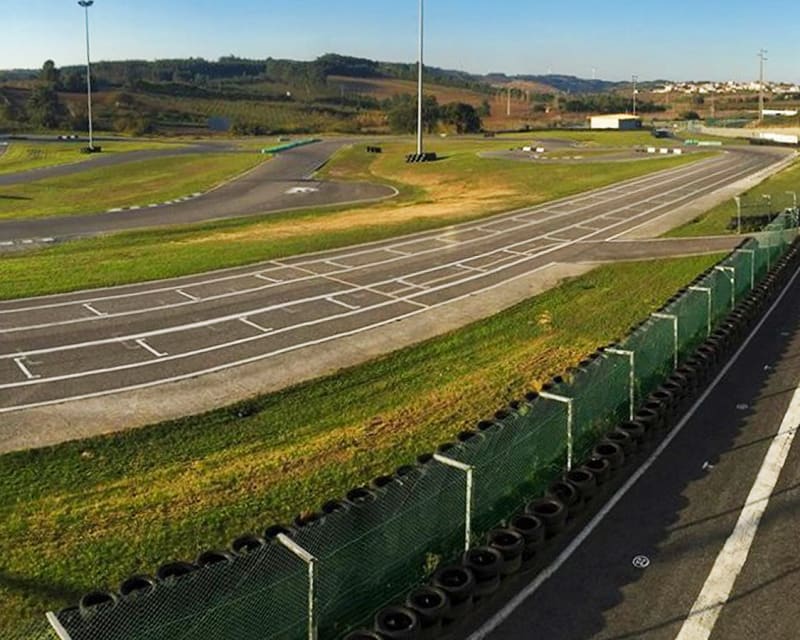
491 625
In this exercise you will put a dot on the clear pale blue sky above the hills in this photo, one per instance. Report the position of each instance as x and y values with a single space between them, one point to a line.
677 40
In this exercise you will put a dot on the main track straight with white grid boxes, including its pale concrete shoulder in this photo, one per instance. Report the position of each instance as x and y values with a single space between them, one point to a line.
284 314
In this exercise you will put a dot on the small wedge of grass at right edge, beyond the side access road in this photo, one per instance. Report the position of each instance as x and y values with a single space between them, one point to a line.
715 221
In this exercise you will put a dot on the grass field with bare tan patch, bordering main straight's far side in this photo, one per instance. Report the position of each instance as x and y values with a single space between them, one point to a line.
463 187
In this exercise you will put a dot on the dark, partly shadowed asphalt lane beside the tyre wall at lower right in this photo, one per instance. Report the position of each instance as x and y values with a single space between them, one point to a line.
680 514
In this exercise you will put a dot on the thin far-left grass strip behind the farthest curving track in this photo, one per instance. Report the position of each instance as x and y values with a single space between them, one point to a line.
24 156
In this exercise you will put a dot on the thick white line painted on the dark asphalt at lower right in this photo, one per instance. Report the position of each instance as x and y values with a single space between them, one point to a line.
731 559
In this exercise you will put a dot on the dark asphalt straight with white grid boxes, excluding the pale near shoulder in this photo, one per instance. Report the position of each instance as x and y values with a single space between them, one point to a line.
93 343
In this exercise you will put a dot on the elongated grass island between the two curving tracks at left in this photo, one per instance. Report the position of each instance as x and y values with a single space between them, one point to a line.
136 183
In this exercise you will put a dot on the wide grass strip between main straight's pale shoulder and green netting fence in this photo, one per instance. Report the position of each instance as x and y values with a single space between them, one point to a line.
86 514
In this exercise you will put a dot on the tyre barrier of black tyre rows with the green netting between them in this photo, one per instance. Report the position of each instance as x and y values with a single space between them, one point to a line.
555 452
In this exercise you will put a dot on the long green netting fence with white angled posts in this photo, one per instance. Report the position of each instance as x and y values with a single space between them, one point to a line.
334 573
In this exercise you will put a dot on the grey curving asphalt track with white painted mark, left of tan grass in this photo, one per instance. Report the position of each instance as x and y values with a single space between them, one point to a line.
280 184
